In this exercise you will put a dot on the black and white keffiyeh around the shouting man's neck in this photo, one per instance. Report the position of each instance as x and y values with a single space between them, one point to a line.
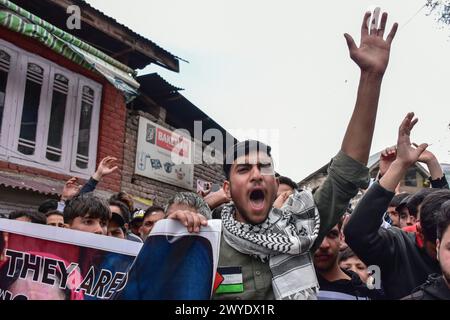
284 240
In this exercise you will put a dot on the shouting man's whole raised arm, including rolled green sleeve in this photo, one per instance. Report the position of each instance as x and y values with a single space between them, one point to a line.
348 172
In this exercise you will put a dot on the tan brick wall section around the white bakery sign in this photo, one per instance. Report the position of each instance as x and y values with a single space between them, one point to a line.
148 188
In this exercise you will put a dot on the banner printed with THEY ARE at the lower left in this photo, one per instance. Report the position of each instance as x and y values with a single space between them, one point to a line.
41 262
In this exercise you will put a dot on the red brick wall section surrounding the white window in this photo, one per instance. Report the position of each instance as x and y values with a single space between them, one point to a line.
112 114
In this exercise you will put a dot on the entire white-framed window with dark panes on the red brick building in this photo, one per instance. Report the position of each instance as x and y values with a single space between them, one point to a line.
48 115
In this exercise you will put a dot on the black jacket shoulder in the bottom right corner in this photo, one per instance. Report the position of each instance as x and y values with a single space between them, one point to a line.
434 289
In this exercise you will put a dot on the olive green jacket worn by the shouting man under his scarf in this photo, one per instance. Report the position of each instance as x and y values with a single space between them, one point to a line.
345 177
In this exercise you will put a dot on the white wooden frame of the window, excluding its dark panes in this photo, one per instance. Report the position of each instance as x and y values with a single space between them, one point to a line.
12 114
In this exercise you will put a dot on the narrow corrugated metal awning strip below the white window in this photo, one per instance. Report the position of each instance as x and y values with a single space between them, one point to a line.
31 183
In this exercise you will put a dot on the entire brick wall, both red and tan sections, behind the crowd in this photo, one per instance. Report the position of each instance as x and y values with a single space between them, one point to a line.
117 136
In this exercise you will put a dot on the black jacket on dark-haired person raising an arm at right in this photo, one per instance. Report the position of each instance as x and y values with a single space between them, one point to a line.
403 265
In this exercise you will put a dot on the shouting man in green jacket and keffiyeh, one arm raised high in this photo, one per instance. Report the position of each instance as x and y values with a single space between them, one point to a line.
266 252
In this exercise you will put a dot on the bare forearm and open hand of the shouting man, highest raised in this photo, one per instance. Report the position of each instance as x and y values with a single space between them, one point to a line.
372 57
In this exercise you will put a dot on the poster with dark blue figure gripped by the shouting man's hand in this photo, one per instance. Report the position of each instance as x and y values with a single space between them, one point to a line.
182 265
